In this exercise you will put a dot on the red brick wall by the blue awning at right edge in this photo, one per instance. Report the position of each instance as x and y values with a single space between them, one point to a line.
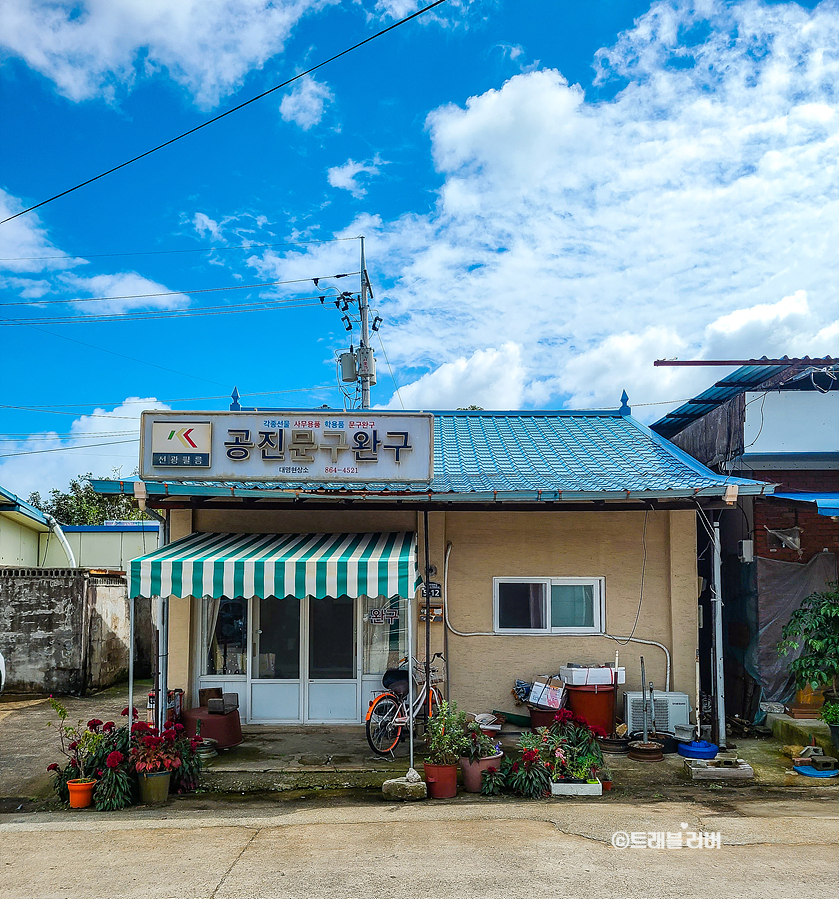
817 531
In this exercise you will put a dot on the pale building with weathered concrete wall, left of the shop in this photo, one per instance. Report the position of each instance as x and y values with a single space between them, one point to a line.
64 627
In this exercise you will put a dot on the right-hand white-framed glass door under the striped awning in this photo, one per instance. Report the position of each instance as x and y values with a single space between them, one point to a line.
332 660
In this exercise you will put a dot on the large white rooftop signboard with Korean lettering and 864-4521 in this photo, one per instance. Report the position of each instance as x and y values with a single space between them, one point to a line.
323 446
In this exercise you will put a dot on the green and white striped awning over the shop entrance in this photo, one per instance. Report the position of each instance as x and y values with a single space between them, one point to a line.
279 565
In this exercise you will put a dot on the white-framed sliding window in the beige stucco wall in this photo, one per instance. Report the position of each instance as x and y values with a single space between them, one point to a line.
545 605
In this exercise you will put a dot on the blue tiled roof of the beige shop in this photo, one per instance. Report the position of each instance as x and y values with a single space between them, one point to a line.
522 456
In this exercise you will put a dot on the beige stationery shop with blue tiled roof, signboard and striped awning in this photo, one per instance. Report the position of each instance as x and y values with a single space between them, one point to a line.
296 539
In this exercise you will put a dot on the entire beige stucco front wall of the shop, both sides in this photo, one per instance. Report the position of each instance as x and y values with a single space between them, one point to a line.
497 544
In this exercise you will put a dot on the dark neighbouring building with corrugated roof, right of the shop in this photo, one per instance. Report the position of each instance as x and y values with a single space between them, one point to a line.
777 424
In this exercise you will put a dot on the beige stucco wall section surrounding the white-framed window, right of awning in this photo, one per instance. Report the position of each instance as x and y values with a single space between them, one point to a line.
581 544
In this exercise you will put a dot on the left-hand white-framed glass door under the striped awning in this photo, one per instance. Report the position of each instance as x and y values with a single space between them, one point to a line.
276 686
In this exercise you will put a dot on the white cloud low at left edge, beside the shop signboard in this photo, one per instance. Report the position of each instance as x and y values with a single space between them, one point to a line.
26 467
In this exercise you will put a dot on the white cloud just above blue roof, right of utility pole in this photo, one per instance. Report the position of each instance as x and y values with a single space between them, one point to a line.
491 378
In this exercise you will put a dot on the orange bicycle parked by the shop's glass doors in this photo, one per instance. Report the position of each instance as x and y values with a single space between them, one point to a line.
388 712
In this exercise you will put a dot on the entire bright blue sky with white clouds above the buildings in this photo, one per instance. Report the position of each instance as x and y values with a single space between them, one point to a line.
553 195
